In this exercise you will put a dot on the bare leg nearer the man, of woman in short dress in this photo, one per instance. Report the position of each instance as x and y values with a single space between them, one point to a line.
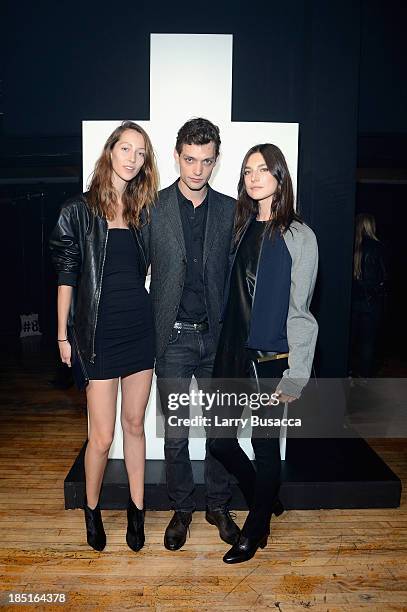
135 393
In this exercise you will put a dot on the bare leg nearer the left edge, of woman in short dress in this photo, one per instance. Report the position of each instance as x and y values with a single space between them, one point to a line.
101 397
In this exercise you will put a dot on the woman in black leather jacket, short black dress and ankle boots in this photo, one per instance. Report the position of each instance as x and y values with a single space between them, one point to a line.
104 313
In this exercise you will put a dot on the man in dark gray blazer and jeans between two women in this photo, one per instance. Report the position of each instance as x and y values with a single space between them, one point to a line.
188 240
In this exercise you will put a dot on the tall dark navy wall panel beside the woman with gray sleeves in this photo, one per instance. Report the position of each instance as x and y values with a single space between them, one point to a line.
327 171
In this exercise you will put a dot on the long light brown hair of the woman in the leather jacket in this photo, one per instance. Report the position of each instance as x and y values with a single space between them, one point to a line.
140 192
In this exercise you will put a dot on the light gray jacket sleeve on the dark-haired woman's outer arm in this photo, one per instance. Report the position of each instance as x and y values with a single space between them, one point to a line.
302 328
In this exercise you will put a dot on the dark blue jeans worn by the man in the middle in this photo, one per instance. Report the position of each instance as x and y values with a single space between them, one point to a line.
189 353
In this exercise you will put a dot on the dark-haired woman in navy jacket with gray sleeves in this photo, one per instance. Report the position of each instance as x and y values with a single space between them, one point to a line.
268 330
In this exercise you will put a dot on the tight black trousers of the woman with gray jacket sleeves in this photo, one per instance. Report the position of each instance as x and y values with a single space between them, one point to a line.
260 484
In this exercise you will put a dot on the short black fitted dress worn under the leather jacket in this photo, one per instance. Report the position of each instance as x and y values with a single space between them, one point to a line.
124 341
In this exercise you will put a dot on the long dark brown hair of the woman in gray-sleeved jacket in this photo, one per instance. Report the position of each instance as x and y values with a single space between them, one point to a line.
282 207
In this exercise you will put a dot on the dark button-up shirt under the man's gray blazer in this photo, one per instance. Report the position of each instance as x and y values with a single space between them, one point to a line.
192 308
